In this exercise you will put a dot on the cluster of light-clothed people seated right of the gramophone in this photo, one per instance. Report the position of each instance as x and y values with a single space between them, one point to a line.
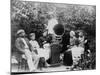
77 43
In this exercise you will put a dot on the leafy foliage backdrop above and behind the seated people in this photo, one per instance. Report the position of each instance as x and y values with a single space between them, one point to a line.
32 17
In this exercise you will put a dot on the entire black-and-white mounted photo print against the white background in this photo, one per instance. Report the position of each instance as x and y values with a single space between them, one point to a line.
52 37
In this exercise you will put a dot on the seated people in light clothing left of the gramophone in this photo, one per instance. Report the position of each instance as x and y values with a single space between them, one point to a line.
31 50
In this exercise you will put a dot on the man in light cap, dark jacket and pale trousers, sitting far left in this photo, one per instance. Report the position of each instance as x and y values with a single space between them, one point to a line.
22 44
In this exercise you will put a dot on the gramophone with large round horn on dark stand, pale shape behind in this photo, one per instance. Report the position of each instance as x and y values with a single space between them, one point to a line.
56 30
